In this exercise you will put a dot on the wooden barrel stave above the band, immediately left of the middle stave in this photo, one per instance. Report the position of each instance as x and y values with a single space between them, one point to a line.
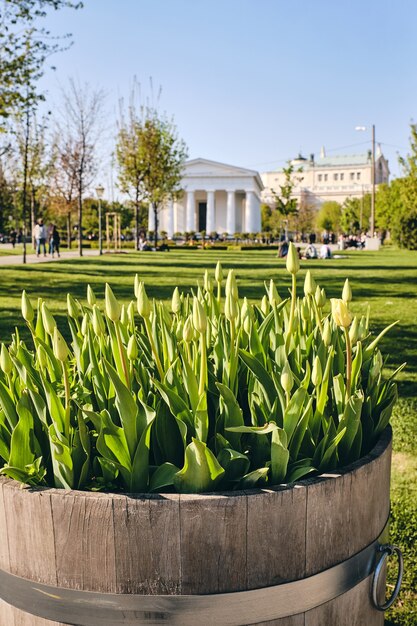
147 545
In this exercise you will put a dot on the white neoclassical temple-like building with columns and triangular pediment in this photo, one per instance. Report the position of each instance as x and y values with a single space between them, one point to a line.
217 198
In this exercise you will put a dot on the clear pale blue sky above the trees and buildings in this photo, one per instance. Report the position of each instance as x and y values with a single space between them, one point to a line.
253 82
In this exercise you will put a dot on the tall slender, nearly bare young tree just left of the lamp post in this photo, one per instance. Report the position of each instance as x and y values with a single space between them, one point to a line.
76 144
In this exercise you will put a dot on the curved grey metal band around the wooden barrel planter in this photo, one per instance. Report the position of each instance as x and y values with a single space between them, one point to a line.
88 608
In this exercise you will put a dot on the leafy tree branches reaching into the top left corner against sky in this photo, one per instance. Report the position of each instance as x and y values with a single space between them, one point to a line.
24 48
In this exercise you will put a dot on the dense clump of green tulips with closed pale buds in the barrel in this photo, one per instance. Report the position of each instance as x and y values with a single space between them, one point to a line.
214 394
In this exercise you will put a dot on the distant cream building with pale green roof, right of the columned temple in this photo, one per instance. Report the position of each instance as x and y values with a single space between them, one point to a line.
330 178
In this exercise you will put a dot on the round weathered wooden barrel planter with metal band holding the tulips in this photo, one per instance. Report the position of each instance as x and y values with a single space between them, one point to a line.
291 556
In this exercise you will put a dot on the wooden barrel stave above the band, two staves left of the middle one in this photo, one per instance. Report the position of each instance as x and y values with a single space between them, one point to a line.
84 538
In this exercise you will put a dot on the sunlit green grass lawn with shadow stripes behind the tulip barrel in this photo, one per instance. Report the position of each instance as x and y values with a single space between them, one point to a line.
386 281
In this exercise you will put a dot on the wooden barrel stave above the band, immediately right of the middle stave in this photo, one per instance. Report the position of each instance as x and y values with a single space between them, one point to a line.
276 532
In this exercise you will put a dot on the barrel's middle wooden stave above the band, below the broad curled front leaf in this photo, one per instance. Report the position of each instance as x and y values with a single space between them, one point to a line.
213 543
